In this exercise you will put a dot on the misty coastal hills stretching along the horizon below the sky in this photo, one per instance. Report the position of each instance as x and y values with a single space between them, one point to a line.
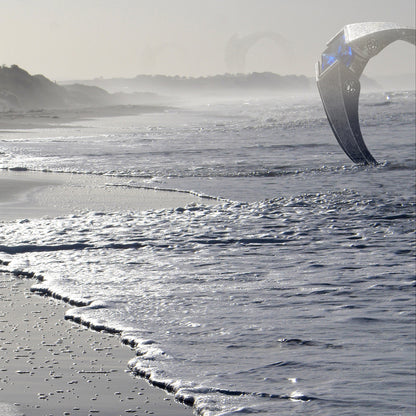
20 90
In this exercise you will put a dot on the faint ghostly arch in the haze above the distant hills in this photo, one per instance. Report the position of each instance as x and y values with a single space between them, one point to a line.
238 47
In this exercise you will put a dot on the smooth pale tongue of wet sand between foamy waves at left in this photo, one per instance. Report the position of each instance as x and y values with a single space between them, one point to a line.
37 194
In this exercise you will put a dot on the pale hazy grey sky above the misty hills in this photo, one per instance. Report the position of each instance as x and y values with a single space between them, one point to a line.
78 39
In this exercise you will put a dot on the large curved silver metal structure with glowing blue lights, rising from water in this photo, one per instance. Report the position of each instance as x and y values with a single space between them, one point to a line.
338 73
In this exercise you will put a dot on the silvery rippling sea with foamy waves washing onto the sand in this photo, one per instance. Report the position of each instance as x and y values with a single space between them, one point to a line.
289 291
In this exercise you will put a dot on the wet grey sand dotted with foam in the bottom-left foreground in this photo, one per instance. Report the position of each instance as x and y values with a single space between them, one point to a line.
49 366
